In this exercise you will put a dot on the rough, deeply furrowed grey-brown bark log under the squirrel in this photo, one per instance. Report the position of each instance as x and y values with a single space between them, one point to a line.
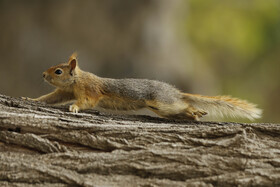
45 146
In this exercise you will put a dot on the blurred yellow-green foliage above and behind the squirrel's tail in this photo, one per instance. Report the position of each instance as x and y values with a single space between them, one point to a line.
240 40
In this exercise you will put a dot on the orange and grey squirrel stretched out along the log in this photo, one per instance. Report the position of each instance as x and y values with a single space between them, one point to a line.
87 91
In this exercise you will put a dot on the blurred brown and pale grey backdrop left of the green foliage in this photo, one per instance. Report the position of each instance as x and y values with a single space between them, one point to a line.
114 38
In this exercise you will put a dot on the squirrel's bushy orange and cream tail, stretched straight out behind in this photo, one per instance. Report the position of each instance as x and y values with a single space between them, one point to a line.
224 106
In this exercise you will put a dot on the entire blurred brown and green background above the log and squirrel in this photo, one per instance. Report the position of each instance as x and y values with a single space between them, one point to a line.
207 47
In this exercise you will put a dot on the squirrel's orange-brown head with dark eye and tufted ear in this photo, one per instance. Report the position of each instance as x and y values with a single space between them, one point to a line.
63 75
